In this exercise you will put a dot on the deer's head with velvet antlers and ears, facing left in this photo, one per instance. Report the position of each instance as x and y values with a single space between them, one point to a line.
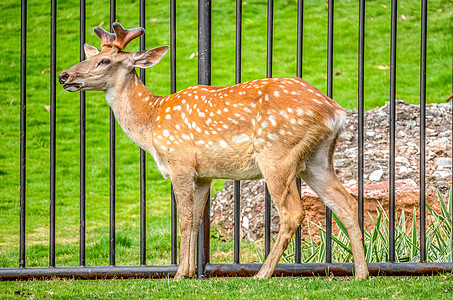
103 69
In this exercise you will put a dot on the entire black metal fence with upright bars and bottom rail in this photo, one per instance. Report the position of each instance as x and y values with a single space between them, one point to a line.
205 268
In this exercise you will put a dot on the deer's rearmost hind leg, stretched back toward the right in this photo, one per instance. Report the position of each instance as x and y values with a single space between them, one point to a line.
320 176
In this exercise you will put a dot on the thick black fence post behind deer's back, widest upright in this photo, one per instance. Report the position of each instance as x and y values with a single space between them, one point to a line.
204 77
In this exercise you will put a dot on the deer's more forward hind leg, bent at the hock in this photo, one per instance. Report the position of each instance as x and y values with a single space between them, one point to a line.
283 189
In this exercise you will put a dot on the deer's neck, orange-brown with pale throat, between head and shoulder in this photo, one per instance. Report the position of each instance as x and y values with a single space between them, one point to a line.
135 109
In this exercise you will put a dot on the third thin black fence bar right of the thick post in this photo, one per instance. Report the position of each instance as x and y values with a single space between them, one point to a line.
300 37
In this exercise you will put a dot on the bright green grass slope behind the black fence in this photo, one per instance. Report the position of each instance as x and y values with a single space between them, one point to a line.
158 79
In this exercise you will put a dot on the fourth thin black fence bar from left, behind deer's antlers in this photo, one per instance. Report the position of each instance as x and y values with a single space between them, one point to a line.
112 159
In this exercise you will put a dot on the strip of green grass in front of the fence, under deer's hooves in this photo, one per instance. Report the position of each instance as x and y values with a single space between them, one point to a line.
431 287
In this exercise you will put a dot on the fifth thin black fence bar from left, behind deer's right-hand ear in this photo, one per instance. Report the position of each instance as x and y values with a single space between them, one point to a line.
142 157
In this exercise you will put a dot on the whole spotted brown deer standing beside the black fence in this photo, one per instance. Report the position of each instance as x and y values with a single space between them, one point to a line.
275 128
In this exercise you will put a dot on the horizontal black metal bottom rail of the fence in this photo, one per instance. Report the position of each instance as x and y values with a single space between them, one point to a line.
225 270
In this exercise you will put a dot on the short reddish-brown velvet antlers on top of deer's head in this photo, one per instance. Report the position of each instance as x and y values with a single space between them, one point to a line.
120 38
